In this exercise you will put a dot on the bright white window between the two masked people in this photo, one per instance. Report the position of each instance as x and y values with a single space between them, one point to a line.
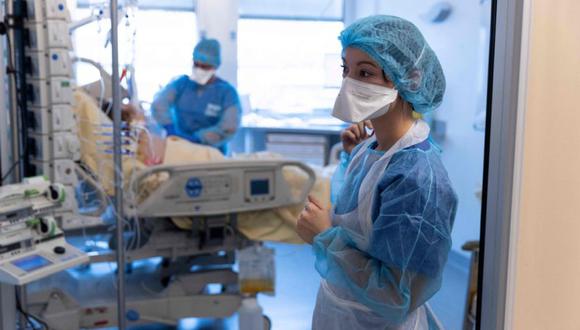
289 66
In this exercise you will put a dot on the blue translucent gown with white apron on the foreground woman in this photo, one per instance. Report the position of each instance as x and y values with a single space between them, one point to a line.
378 272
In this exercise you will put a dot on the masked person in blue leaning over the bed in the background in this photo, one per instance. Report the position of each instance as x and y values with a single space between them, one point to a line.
201 107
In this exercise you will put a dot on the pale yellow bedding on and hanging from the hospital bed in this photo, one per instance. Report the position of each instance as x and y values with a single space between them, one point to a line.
149 149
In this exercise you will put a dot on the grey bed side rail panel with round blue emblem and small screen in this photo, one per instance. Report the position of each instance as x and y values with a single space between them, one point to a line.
221 188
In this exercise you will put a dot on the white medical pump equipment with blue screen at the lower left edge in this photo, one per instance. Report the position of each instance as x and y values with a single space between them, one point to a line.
32 246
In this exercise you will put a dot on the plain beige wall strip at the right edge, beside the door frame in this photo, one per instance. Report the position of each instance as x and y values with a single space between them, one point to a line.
547 266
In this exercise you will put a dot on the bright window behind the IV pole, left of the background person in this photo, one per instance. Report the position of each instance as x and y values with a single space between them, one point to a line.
159 43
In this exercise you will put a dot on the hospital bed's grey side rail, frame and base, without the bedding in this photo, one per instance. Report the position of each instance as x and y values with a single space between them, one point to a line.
212 197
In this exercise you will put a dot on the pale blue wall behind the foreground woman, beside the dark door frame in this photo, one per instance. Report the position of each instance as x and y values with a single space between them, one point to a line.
457 42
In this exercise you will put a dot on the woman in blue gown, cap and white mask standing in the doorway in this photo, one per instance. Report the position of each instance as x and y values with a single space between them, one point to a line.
382 248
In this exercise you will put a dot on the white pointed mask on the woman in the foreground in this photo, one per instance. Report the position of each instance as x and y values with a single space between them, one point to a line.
358 101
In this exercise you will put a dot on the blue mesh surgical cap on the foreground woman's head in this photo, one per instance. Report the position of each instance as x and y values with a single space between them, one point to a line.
403 54
